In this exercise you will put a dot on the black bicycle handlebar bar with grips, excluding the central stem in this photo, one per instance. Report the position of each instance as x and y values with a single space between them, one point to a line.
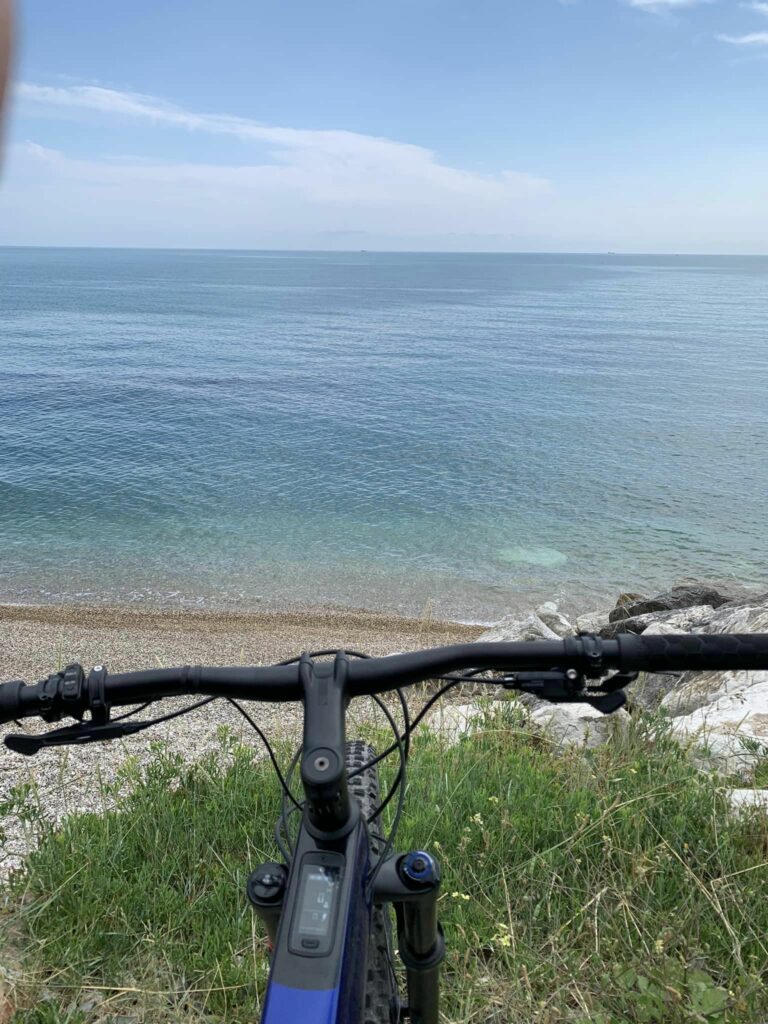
588 656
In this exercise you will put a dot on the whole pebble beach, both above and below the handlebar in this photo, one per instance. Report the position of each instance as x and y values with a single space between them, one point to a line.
38 641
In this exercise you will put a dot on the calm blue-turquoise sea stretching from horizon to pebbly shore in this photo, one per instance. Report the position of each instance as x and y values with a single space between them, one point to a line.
380 431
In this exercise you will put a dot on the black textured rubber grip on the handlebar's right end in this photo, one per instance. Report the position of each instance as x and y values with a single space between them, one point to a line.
698 653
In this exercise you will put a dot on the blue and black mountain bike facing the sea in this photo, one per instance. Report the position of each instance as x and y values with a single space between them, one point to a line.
327 908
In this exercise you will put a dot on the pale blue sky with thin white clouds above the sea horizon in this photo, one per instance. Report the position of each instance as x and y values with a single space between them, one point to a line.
444 125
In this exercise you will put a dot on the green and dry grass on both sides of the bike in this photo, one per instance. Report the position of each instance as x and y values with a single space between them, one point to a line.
611 887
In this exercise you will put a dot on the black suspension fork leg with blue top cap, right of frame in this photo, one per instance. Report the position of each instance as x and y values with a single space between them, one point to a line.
412 882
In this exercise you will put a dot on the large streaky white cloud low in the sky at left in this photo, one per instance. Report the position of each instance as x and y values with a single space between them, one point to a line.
291 183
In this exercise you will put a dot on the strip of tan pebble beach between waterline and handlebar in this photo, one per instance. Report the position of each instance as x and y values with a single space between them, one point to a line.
38 638
